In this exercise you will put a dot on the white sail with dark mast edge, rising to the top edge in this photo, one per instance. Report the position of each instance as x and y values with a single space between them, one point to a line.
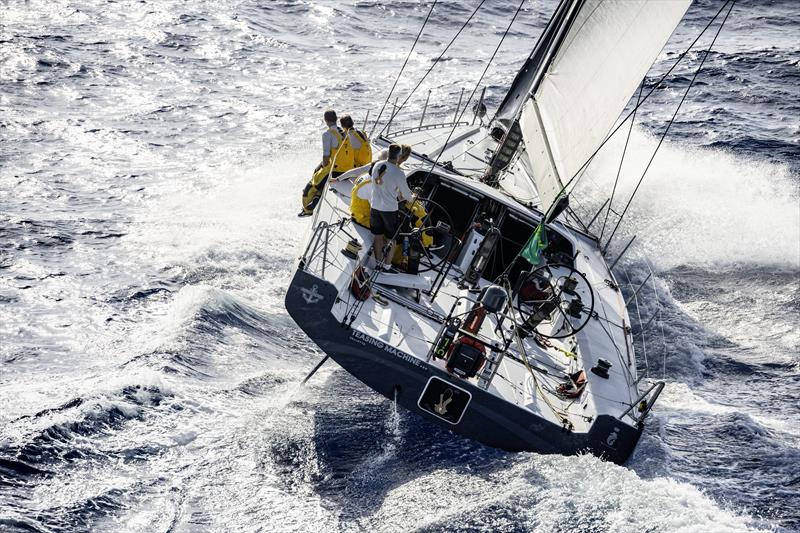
576 82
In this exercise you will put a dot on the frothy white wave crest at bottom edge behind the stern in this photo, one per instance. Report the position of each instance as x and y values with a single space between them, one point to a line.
550 492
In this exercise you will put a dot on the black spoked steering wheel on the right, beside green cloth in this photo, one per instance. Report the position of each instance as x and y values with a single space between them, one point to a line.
550 292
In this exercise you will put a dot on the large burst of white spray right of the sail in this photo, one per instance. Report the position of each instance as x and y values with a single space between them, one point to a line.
700 206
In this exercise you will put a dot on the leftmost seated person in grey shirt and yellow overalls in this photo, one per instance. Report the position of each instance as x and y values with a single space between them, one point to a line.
337 157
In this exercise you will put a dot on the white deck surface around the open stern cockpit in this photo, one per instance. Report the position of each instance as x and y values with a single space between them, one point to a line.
410 324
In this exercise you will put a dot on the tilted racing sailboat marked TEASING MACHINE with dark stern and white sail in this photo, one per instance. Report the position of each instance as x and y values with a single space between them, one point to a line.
504 323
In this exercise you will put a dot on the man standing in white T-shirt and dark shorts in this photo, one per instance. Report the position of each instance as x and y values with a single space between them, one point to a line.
388 185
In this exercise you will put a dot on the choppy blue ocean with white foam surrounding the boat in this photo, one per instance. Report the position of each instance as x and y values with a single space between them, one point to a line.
151 160
